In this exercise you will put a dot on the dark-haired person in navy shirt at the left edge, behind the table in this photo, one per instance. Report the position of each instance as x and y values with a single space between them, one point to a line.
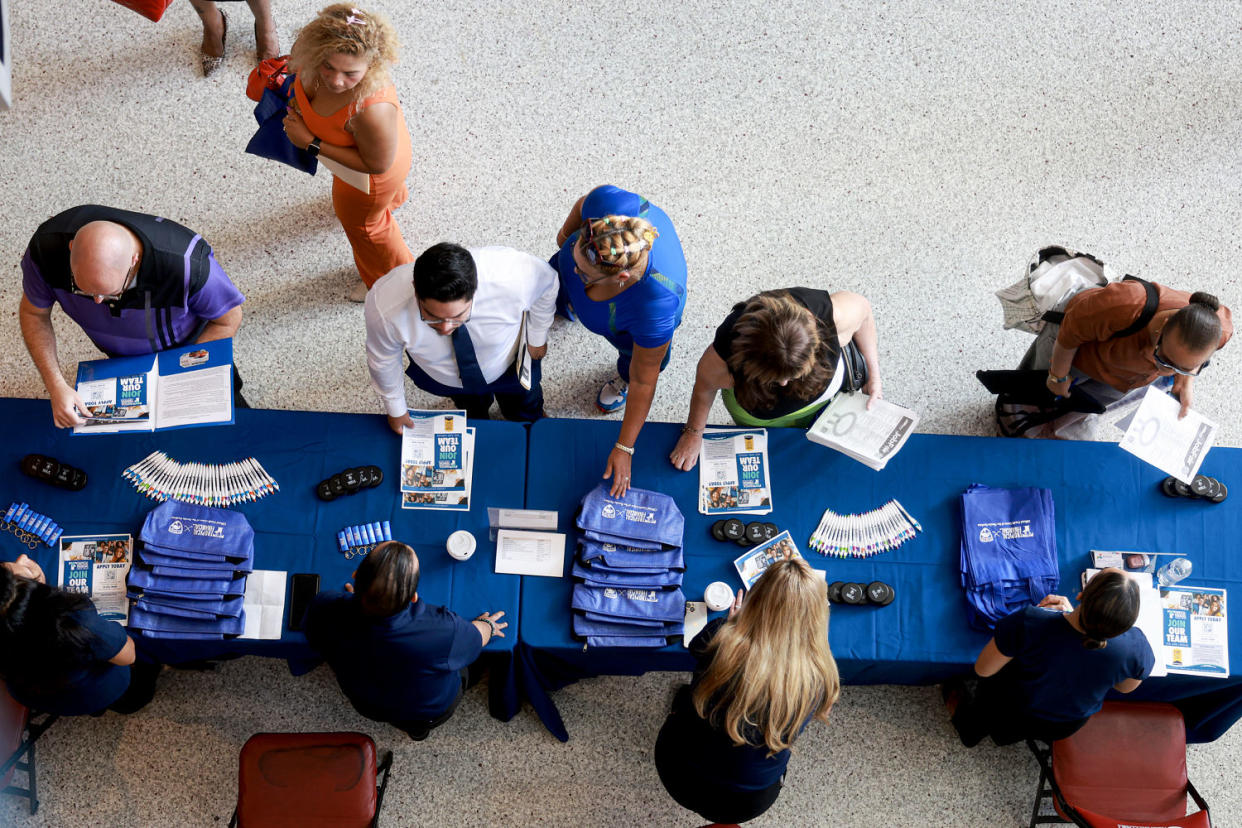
59 656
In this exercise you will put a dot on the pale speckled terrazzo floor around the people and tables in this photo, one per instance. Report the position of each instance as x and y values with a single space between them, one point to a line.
915 153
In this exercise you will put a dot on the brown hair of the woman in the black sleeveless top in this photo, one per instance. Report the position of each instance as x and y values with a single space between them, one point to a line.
776 340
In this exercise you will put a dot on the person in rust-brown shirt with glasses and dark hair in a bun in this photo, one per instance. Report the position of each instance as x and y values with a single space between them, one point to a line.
1178 342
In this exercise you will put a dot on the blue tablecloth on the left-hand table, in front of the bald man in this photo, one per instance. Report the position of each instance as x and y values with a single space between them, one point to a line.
295 532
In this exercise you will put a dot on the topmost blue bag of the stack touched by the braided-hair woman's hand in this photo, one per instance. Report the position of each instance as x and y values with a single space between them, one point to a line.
639 520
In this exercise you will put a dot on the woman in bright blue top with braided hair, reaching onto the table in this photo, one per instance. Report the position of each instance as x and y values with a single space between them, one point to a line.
623 275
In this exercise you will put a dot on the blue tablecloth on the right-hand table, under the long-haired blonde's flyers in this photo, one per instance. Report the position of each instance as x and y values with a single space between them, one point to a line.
1105 500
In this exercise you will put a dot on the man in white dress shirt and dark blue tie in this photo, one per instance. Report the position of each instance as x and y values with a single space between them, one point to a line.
458 315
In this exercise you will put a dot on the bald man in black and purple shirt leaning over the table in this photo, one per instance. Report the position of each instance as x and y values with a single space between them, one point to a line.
135 284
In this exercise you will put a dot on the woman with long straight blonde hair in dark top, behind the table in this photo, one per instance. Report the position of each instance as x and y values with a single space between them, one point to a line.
761 677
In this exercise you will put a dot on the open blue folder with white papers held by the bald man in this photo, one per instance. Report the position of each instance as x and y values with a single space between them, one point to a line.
173 389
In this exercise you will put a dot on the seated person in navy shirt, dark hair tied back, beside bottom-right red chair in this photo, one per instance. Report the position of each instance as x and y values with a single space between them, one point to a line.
1049 668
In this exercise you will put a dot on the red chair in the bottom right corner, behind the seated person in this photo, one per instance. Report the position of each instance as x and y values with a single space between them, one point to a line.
1127 767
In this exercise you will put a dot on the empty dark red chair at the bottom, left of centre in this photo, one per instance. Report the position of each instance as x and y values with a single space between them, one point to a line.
302 780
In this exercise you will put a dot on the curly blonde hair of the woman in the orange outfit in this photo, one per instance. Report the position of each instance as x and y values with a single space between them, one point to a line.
343 29
